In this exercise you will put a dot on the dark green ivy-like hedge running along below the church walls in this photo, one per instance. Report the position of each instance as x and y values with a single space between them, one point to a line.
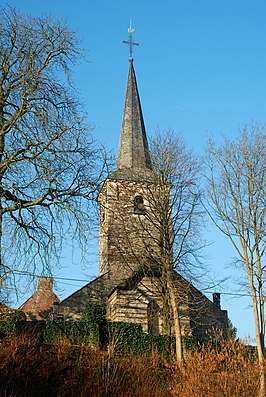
99 334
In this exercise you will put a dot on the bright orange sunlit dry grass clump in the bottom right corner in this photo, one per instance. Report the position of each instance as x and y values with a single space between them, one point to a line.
229 370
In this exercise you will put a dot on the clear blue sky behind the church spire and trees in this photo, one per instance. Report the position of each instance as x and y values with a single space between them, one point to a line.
200 69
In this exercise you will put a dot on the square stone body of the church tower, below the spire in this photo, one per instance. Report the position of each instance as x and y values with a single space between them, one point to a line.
125 232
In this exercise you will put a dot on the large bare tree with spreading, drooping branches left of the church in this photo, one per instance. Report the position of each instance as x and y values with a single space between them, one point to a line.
50 165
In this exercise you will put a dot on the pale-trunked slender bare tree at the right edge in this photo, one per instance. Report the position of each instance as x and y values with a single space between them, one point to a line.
236 186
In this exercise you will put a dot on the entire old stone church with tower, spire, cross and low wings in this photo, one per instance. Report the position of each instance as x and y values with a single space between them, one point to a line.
129 284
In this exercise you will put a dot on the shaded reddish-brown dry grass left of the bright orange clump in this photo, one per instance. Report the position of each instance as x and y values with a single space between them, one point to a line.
29 369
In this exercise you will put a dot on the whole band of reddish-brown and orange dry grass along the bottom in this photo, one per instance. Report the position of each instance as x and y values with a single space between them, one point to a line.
29 369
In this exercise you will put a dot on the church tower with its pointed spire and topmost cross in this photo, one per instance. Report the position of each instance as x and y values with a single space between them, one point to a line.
123 198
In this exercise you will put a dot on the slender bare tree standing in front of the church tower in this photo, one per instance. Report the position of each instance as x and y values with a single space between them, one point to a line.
175 209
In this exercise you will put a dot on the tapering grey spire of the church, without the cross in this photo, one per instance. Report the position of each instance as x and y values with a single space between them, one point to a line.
133 151
